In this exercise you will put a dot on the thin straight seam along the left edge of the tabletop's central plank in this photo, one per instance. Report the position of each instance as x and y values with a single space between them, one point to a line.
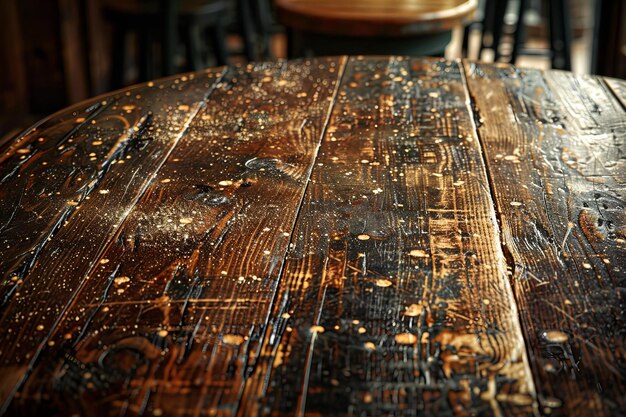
281 271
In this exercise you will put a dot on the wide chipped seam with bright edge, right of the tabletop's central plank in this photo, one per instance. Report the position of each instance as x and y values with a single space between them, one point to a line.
498 236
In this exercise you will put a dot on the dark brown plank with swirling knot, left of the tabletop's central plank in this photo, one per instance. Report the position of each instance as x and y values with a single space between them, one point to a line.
173 315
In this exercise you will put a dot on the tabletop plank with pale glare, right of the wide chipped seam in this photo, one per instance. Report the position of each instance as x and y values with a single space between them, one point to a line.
555 149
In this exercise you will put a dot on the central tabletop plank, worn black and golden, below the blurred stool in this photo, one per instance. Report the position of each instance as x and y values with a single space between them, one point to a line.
394 299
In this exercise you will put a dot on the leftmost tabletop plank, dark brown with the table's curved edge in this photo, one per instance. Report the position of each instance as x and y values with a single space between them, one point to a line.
61 195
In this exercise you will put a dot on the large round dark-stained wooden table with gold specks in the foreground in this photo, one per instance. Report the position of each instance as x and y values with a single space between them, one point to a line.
334 237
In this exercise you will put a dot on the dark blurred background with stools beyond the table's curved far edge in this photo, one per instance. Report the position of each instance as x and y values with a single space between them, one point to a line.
57 52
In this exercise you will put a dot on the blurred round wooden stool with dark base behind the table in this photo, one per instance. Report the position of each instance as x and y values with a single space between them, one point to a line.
372 26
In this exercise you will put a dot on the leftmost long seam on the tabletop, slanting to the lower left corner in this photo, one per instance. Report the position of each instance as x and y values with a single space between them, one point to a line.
4 407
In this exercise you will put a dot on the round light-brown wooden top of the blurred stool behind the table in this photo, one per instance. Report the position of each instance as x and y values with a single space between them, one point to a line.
375 17
